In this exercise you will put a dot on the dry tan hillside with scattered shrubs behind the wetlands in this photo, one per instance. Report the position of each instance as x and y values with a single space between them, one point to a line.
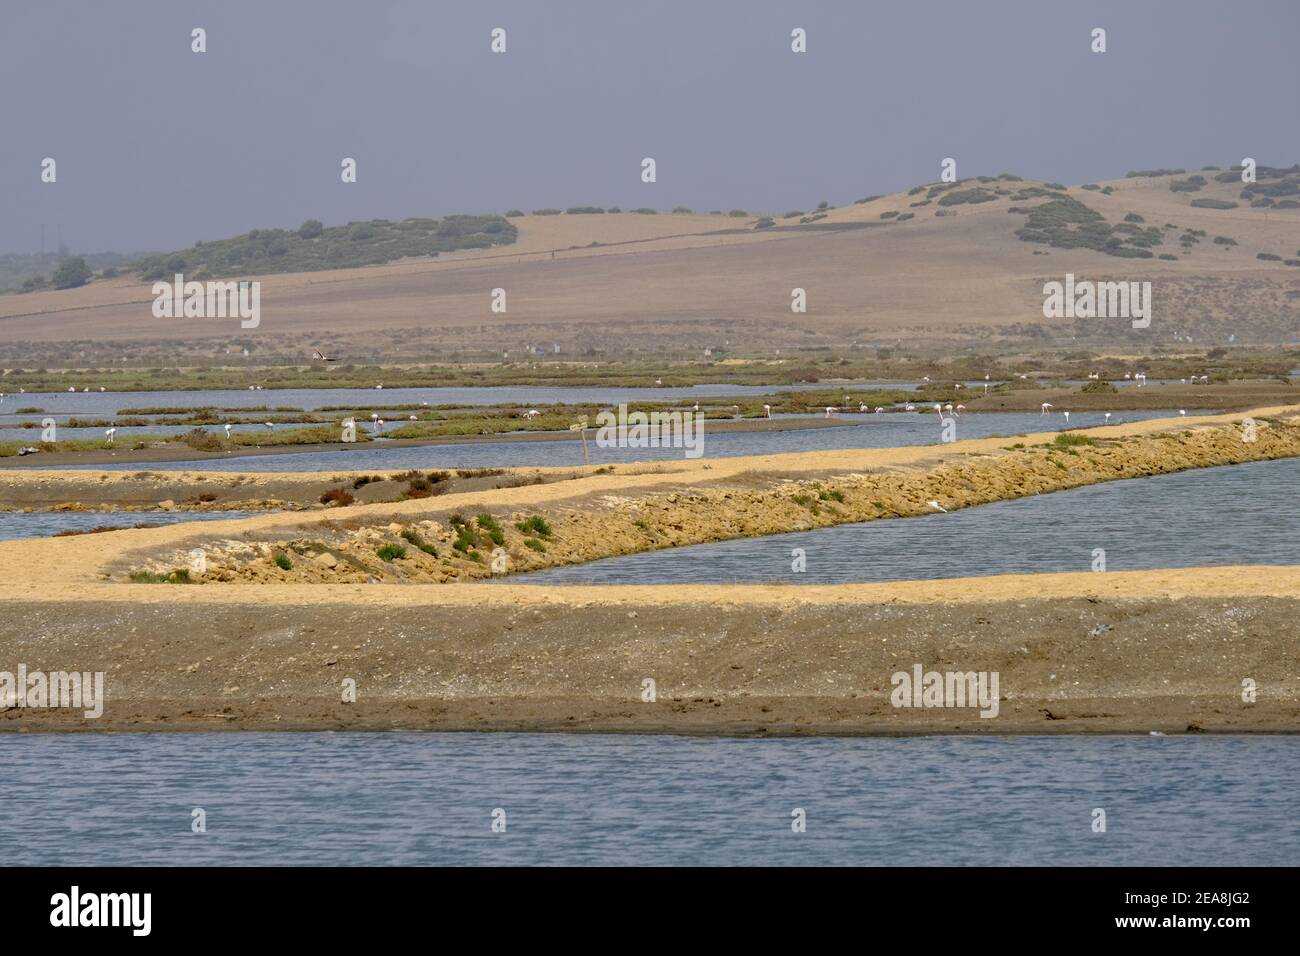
629 283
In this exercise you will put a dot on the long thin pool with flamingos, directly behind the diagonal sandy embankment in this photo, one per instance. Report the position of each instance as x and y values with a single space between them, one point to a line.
869 431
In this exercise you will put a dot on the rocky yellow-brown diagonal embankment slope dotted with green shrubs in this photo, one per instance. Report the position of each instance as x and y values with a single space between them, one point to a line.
586 520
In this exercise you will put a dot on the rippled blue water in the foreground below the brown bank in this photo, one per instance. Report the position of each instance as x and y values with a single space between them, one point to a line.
427 799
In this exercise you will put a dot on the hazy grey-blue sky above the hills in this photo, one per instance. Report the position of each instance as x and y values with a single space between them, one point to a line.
158 146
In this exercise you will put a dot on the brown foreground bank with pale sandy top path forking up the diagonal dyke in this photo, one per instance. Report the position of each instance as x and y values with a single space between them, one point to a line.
1076 652
